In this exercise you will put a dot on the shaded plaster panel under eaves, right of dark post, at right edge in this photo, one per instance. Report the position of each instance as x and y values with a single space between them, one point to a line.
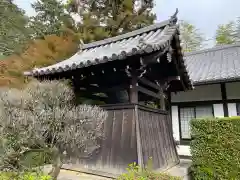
233 90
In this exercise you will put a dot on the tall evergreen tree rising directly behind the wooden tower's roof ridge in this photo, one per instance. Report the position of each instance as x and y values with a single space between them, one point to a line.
106 18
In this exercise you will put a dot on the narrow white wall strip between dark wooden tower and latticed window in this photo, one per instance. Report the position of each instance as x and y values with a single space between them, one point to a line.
175 123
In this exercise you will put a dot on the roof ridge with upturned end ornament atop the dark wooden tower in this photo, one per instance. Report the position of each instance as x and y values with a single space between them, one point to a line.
171 20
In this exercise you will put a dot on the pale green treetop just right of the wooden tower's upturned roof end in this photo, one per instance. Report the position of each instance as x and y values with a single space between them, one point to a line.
191 38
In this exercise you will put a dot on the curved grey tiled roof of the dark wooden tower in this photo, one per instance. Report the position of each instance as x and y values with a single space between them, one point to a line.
145 40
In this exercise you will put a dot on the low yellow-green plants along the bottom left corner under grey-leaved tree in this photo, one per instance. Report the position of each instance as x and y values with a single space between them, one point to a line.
23 176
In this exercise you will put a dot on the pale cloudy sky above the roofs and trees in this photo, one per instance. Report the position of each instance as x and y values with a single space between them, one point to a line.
206 15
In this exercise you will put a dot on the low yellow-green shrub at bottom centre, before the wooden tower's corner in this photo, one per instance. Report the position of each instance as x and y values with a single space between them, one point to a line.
134 173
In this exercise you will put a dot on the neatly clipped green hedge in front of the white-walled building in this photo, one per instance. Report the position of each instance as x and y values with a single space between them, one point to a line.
215 148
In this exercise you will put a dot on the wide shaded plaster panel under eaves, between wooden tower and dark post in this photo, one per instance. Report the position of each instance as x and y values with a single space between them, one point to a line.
200 93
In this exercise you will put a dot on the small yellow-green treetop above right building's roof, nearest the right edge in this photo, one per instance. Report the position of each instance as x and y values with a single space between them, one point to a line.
225 34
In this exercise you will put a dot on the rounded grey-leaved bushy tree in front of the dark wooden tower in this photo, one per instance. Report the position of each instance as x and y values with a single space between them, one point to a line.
42 118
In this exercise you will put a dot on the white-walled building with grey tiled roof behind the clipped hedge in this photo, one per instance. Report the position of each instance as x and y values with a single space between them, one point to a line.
216 76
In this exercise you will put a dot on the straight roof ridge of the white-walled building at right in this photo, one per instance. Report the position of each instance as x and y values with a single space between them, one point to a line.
216 48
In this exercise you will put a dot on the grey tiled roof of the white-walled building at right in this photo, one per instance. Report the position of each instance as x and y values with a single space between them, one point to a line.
219 64
